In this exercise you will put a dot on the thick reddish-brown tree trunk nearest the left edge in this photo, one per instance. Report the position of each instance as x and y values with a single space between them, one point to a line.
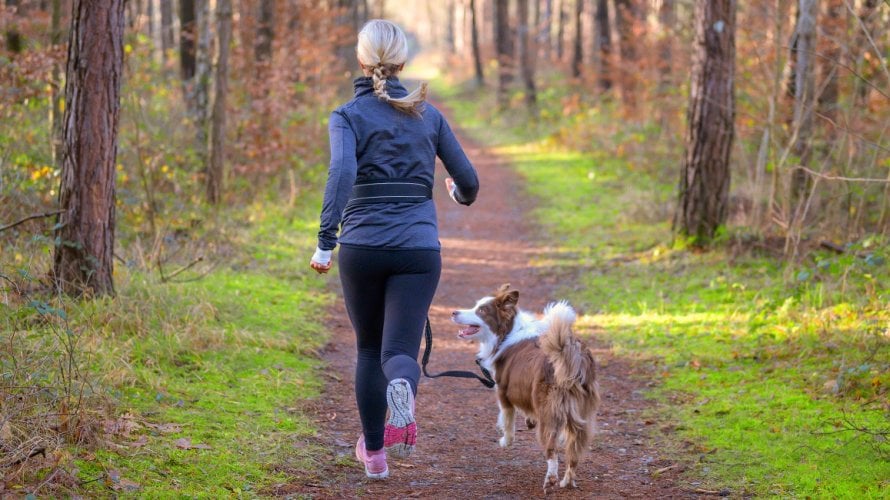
83 260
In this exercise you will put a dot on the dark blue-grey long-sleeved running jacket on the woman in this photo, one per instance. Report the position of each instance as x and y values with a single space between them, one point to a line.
370 140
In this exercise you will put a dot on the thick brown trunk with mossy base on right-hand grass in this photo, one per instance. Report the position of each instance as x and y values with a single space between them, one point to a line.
704 181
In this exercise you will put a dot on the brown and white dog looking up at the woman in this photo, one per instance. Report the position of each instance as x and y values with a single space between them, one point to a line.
540 368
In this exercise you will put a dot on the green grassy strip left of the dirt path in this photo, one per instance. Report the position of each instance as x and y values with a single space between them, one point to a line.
205 376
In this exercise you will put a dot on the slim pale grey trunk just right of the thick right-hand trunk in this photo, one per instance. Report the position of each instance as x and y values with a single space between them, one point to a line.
804 83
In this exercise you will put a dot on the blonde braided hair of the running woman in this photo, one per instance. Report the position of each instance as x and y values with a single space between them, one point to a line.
382 49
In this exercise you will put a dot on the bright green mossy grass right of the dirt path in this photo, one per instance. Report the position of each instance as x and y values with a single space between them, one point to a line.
765 369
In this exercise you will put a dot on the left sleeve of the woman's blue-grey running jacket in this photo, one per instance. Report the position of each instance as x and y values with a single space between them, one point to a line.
341 177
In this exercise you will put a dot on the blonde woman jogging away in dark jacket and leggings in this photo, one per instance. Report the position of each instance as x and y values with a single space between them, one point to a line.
384 144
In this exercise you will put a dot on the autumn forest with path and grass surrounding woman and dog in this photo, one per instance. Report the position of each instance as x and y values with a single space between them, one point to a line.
706 181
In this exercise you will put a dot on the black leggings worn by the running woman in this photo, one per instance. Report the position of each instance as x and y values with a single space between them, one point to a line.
388 295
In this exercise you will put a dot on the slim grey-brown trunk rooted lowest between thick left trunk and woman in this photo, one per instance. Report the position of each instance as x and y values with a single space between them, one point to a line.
215 172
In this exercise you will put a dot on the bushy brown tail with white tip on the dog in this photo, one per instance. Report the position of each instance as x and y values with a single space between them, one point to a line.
573 368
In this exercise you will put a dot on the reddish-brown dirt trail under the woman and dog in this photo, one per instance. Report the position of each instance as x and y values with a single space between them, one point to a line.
457 454
